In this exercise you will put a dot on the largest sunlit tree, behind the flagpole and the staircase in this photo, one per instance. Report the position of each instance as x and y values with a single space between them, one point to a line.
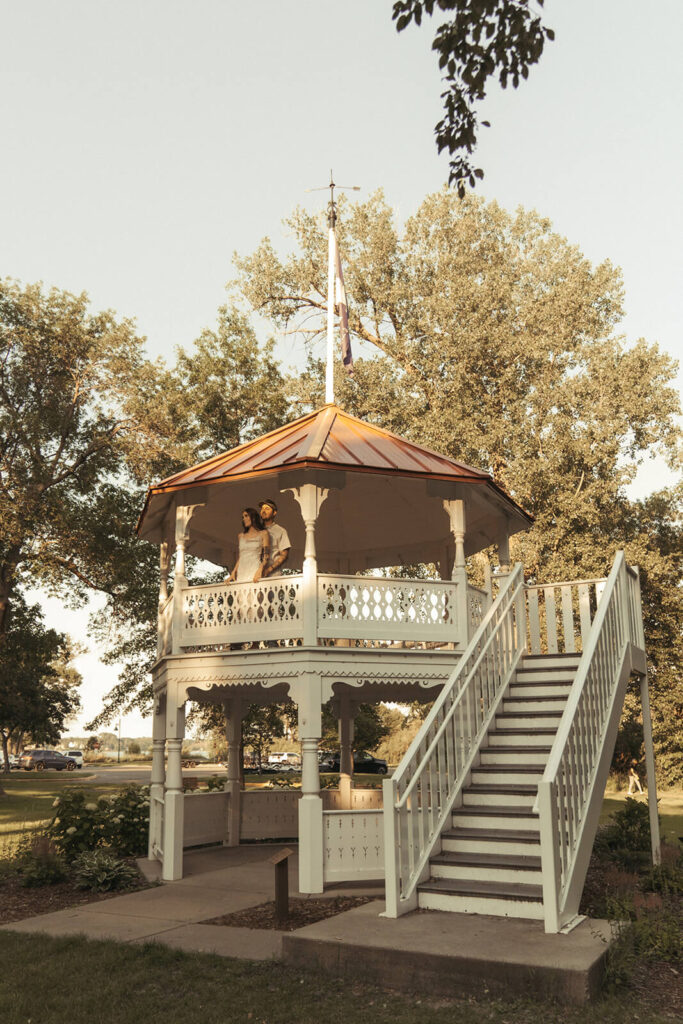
487 336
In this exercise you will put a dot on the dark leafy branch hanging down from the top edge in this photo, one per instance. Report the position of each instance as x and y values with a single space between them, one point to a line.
484 38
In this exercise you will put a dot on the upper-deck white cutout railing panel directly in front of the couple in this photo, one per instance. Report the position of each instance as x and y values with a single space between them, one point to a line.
237 613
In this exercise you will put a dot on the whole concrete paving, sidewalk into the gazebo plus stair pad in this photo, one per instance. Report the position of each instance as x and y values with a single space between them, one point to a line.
425 952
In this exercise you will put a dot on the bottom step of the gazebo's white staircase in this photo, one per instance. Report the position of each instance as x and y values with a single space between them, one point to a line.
500 900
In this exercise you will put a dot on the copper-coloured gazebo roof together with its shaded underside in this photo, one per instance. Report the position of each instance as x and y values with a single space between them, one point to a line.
385 505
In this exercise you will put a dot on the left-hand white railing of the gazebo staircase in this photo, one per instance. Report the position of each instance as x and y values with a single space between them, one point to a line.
420 796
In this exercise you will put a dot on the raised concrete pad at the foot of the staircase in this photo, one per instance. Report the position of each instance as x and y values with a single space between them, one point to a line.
452 954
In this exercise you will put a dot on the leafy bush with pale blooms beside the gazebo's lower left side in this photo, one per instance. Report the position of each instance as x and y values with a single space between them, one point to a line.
81 824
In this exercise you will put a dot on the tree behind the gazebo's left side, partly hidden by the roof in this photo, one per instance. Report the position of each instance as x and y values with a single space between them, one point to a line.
225 391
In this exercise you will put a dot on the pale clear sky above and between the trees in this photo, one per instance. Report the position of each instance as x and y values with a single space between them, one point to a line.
145 143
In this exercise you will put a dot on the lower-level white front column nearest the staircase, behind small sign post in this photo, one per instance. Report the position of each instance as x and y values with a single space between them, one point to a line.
308 693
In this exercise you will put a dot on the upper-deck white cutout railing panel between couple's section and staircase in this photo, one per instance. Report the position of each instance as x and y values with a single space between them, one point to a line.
370 608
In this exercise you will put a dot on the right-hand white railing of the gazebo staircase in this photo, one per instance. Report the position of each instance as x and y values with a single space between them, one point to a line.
573 786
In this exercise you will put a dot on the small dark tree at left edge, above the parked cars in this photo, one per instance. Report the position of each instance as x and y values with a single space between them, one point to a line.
38 687
